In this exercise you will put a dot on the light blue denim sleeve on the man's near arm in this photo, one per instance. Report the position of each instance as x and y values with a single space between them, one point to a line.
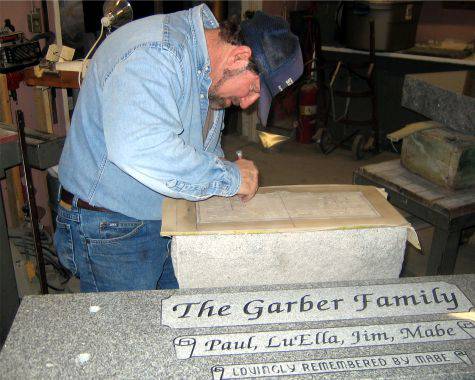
142 130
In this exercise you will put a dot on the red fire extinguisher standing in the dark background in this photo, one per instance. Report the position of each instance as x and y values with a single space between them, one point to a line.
307 112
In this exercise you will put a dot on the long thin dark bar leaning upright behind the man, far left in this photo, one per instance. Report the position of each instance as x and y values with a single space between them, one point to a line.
31 203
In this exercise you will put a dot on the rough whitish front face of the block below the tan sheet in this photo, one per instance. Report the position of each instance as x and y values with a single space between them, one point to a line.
285 258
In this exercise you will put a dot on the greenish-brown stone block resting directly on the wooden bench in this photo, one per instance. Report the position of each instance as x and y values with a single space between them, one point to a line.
442 156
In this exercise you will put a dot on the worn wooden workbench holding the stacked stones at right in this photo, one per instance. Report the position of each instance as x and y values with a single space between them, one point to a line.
448 211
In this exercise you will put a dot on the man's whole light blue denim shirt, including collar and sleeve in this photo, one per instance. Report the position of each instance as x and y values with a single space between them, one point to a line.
137 130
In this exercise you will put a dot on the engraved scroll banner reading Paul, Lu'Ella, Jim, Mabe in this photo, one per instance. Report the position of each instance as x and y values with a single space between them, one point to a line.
322 339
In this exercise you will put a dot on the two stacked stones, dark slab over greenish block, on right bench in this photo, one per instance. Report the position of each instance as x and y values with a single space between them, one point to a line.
446 155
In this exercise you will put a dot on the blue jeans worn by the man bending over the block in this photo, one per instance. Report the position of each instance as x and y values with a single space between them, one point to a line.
109 251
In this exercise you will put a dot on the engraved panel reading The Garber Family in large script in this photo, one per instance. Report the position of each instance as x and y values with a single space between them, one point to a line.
302 305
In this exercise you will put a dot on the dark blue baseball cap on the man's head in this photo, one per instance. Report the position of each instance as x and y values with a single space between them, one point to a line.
276 51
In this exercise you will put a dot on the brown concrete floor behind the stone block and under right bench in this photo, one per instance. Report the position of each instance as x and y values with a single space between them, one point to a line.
296 163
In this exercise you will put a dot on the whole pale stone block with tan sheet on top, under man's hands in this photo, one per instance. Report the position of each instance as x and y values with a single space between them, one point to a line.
286 234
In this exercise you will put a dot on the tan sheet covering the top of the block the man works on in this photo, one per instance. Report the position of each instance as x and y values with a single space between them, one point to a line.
330 208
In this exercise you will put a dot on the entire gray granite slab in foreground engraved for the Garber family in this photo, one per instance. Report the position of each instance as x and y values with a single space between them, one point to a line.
419 327
